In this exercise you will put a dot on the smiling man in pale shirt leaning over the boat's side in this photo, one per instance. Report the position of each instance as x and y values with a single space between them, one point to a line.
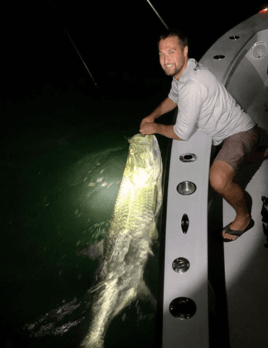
204 103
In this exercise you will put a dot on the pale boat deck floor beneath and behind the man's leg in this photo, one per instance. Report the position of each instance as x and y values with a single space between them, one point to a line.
246 259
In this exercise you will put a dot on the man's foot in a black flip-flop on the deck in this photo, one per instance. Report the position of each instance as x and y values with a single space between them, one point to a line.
236 228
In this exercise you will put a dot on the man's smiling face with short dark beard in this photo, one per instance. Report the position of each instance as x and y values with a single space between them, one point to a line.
173 58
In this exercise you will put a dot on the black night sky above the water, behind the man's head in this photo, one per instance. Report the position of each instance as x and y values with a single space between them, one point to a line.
117 40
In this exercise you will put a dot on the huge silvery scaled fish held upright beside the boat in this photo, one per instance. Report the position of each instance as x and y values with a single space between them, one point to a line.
133 228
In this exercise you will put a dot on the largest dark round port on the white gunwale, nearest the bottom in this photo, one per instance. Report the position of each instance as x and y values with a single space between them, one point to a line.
182 308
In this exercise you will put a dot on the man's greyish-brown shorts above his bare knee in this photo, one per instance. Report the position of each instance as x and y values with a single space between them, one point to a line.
237 148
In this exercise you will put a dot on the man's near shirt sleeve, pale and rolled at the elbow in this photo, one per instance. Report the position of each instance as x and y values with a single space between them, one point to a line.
189 108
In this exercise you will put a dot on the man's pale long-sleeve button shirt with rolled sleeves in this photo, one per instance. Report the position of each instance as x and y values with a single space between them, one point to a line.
204 103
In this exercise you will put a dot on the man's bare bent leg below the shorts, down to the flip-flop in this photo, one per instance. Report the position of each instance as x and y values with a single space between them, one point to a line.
222 181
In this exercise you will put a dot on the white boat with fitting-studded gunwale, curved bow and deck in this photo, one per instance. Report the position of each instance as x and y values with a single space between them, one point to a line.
236 270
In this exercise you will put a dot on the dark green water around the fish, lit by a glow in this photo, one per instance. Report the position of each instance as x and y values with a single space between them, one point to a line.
63 152
